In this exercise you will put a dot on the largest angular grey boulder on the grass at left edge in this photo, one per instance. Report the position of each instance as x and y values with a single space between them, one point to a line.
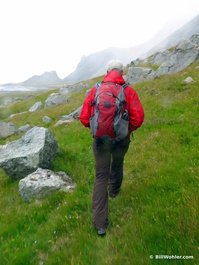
36 148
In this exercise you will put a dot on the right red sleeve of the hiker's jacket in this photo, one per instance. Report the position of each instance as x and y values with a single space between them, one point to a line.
136 112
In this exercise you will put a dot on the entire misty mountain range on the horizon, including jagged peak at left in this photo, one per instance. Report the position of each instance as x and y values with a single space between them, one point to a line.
95 64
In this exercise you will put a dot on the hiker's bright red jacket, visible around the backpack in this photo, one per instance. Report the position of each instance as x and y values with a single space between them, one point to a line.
134 107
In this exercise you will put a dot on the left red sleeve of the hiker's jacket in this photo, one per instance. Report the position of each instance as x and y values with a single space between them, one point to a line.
85 113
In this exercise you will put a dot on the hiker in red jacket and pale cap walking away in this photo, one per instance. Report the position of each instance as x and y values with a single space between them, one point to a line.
109 150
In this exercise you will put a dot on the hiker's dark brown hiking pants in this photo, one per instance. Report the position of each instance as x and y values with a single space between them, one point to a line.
109 160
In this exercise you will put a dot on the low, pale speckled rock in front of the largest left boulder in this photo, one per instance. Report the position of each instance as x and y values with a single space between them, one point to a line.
43 182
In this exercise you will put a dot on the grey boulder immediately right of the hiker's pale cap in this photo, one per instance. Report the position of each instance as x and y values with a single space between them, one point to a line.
139 74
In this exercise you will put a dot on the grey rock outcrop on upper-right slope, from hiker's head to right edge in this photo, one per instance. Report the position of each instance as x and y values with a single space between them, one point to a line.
185 53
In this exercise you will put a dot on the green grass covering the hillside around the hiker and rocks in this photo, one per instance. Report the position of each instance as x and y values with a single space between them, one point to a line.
157 210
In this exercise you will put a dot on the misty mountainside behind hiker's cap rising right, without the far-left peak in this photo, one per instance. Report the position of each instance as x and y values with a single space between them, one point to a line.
95 64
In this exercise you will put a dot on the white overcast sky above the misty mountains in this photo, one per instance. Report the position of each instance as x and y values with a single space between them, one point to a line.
46 35
